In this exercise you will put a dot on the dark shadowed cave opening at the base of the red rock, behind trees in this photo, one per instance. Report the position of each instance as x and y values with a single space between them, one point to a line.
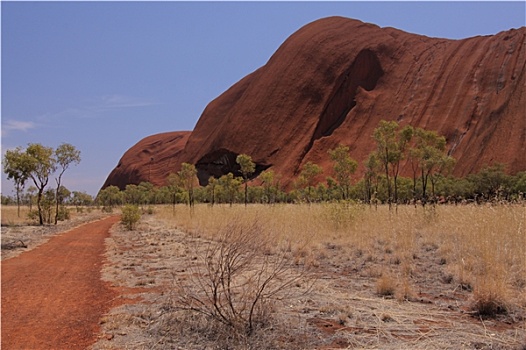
221 162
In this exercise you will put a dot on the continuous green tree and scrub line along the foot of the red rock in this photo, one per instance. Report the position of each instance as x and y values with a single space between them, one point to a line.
423 151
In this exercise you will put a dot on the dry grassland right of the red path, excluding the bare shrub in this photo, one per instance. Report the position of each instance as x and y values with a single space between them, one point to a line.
442 277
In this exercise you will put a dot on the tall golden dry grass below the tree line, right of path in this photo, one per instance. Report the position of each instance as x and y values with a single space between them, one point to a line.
483 247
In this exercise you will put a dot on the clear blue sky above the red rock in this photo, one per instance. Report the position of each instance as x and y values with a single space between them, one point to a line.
103 75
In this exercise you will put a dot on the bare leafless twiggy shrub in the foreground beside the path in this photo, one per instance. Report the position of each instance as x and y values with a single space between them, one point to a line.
235 281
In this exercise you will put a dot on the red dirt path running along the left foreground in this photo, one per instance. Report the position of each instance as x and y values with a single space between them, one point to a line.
53 295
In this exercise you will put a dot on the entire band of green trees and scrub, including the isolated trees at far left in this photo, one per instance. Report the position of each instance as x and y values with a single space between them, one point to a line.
423 151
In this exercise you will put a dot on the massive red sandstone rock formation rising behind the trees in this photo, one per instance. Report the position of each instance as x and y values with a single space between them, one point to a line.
332 81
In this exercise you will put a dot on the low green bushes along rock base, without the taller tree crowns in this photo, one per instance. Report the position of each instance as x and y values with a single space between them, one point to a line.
490 185
